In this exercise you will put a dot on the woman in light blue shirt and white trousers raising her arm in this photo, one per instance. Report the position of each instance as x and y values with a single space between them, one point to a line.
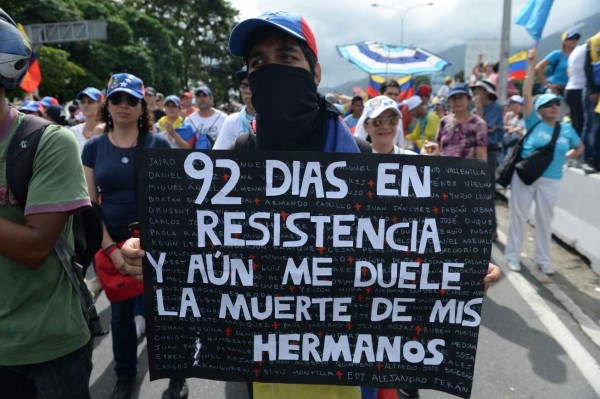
541 119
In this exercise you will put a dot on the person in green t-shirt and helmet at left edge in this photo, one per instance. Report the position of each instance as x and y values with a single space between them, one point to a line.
46 346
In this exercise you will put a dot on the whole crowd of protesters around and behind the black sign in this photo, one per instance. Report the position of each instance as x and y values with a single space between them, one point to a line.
104 127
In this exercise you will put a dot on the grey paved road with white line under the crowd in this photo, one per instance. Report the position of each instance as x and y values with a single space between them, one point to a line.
539 337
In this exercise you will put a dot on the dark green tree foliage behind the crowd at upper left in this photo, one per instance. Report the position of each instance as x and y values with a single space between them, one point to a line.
171 45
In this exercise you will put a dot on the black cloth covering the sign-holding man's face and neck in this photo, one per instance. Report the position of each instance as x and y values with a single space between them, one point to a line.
287 109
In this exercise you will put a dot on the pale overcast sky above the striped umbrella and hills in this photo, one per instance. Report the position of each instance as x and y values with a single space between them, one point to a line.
444 24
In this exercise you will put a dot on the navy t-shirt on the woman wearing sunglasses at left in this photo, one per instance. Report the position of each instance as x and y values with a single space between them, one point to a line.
115 180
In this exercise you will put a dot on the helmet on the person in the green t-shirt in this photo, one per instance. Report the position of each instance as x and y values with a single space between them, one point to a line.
15 52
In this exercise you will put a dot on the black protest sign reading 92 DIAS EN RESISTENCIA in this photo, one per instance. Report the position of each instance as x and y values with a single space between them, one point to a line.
314 268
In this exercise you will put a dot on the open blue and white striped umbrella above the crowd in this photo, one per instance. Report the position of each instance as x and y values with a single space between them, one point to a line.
383 59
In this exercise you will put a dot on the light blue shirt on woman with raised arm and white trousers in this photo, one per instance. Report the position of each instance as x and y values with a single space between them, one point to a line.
542 135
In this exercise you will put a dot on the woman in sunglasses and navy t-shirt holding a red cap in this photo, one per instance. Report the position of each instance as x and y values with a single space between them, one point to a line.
109 168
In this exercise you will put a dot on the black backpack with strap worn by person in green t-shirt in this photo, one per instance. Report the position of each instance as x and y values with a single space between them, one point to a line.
87 224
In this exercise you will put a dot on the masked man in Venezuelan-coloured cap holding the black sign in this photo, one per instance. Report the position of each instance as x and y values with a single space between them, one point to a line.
281 54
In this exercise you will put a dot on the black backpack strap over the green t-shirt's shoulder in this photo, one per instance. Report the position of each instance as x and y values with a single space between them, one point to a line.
21 152
